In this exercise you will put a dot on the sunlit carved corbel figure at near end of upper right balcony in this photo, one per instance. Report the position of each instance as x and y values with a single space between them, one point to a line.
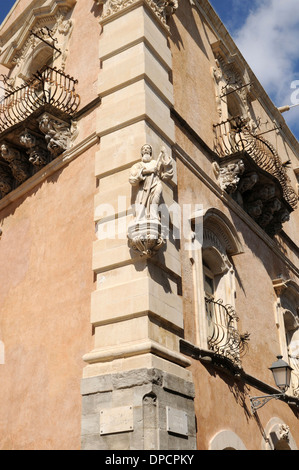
228 176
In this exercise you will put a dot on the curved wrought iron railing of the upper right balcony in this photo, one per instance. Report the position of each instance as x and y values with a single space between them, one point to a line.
234 136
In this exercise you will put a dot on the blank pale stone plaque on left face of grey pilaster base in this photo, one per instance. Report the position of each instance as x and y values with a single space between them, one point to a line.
115 420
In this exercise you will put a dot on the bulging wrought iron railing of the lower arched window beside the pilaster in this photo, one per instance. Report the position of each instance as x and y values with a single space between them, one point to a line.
223 336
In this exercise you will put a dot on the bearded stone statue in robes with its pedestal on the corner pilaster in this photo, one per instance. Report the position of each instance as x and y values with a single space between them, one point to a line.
145 233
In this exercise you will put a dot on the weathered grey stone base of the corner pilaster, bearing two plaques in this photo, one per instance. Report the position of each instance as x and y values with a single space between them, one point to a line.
145 409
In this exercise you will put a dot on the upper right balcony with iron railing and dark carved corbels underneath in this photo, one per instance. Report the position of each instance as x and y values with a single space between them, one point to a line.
250 169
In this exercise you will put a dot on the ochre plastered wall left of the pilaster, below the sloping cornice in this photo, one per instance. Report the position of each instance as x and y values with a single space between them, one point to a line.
46 282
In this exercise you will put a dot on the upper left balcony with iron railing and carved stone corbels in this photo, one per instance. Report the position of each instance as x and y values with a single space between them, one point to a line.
35 125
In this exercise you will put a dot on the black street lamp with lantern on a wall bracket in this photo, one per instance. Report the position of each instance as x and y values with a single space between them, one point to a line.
282 377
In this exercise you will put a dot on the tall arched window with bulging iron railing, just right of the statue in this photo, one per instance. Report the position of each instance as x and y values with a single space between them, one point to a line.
214 284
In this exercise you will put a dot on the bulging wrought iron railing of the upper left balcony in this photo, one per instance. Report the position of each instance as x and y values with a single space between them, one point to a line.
48 86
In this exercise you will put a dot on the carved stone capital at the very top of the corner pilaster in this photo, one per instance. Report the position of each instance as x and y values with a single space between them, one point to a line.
162 8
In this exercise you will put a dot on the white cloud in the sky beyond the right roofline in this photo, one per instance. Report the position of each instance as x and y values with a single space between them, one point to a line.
269 41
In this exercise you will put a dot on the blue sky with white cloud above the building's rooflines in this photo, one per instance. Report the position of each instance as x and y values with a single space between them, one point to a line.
267 34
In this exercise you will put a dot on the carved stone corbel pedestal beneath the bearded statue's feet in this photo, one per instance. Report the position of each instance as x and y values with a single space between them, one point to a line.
145 236
